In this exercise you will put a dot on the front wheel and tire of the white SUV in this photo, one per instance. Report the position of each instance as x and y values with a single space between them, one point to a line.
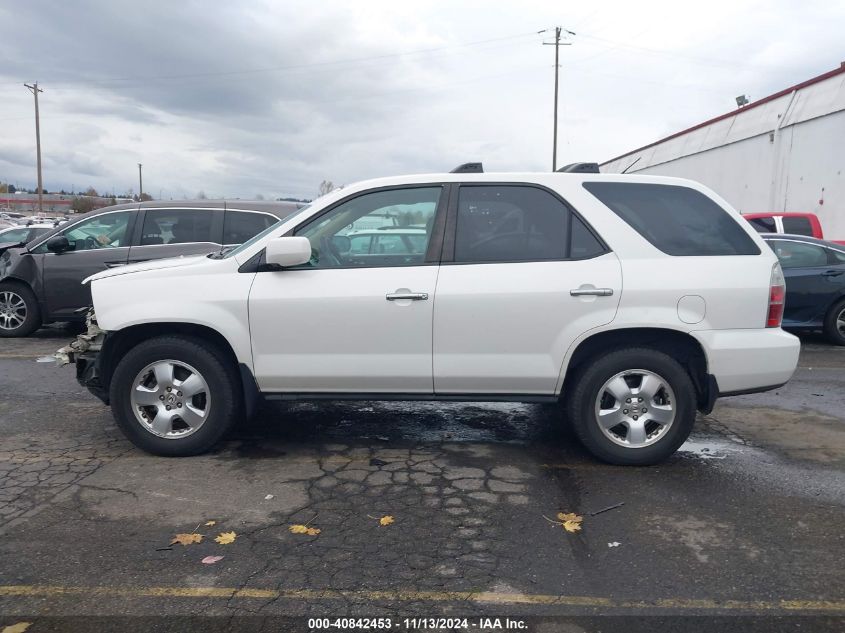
175 396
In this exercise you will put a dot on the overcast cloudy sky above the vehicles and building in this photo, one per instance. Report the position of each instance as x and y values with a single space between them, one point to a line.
245 98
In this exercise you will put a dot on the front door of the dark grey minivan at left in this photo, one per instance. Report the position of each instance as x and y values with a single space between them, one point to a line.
96 243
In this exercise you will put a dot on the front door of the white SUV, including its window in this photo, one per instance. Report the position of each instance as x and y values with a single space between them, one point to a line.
350 321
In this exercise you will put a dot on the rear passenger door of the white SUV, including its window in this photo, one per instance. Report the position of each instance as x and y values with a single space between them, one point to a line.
522 276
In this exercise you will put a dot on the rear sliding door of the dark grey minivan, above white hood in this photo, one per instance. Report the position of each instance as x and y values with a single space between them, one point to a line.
172 232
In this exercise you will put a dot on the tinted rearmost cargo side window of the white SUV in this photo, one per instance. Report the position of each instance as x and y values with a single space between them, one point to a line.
677 220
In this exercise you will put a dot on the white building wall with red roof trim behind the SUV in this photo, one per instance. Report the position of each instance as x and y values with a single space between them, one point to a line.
787 154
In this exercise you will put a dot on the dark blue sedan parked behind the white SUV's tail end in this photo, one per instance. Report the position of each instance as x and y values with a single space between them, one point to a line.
815 284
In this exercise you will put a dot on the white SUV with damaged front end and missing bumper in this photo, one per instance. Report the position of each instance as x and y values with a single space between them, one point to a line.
633 301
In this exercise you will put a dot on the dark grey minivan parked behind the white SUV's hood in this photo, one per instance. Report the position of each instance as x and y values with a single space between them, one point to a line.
41 281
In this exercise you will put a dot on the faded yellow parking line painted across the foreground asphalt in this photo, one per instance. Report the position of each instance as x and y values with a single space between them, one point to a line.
393 595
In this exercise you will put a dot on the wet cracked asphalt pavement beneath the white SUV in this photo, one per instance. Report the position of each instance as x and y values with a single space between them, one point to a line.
746 519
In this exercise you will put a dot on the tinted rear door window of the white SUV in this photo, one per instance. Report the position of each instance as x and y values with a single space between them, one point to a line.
510 223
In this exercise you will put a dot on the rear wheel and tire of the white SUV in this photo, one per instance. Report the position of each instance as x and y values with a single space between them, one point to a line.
632 407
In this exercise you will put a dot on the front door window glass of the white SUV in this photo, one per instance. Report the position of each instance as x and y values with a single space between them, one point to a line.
382 228
